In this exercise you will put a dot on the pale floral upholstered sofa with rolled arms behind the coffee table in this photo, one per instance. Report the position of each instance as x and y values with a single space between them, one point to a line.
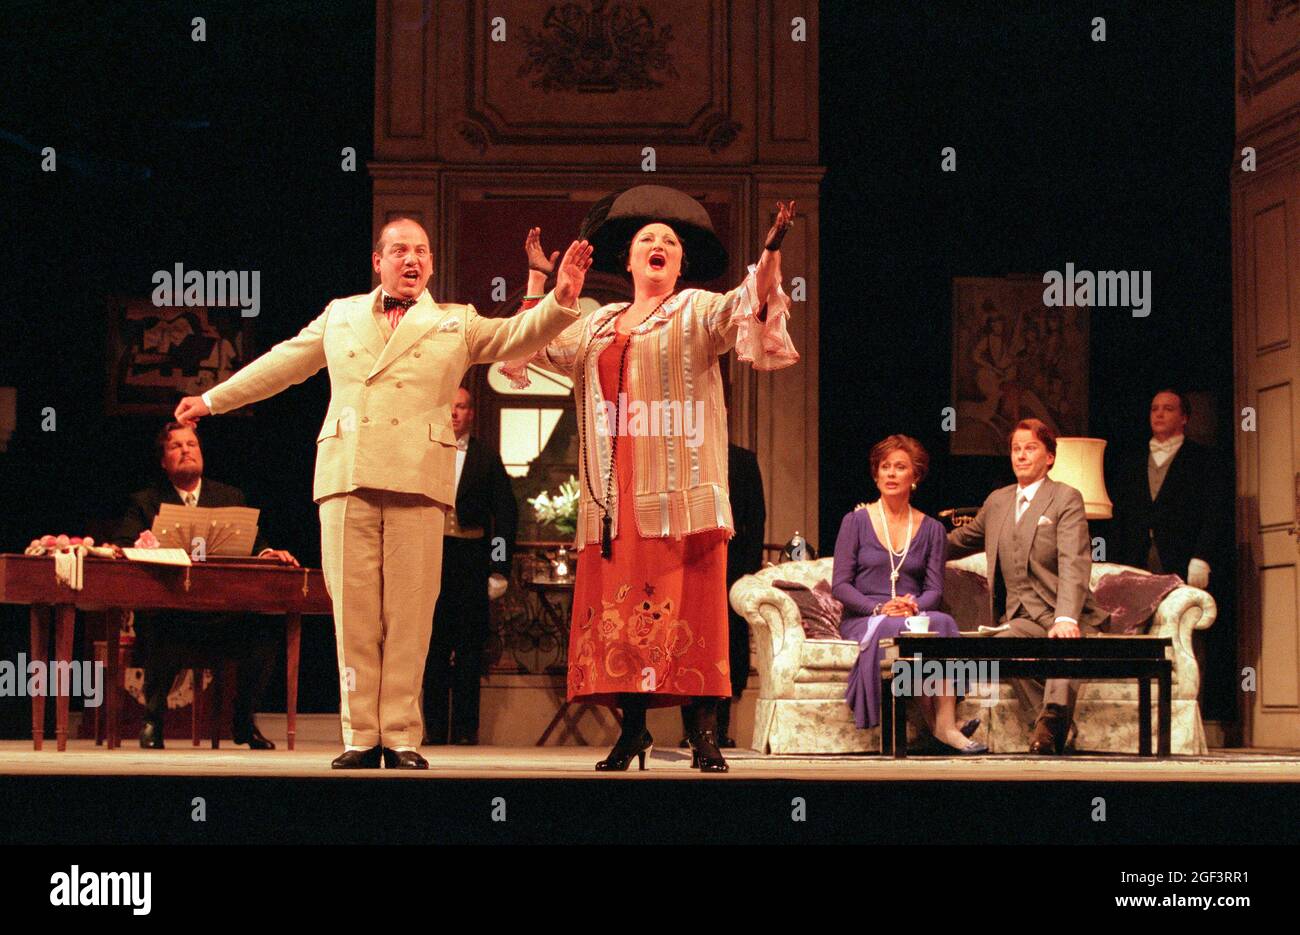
803 682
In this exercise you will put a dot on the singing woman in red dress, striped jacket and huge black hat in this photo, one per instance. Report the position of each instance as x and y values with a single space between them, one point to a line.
649 624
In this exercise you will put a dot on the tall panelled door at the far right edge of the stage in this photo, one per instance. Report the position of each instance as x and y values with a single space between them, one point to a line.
1267 328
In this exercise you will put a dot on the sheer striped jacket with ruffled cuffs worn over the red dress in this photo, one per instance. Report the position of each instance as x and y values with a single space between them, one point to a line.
679 441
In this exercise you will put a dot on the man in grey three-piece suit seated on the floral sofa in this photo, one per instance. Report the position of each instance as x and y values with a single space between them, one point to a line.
1035 536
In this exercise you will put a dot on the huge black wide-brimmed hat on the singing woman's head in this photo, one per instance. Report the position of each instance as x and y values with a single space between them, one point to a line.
614 220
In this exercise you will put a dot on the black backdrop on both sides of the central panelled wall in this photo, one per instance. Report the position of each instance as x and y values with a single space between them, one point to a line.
226 155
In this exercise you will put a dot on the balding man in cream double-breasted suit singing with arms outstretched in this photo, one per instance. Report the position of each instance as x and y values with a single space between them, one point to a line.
385 466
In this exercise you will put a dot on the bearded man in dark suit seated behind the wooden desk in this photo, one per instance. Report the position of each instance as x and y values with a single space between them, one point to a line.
164 638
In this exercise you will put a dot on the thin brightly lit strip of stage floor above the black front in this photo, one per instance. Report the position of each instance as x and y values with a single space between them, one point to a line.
311 760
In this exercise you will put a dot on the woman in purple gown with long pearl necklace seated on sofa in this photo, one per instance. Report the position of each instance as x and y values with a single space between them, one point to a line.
890 566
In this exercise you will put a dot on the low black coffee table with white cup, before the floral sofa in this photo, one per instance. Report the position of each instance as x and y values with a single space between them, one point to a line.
1094 657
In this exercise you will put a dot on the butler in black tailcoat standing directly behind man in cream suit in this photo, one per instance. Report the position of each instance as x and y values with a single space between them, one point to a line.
476 553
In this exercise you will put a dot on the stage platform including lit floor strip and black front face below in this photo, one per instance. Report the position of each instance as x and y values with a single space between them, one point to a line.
187 795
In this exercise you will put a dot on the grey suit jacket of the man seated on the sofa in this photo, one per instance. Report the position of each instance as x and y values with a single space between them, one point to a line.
1060 556
